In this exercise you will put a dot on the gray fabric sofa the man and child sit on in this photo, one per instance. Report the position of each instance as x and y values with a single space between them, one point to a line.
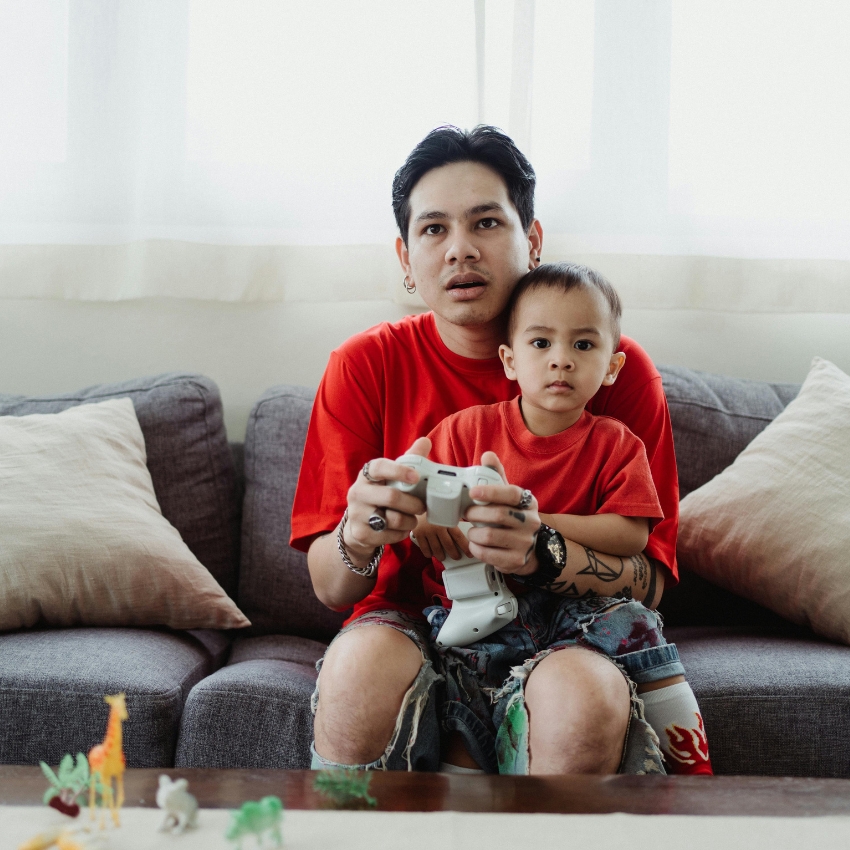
773 695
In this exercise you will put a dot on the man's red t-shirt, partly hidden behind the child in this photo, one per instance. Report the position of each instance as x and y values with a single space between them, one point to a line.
387 386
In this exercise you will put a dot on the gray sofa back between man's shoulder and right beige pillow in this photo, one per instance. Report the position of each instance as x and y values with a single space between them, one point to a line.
715 417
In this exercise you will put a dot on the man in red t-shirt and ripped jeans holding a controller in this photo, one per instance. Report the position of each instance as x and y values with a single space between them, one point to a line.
464 206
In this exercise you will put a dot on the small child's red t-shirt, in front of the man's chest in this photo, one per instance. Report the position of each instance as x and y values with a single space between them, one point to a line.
595 467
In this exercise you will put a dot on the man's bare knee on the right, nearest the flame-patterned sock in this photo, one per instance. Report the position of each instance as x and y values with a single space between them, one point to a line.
579 707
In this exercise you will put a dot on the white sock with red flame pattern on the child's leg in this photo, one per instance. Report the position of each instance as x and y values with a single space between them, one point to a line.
674 714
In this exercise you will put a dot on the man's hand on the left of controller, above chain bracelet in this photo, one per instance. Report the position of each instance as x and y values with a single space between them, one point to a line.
367 498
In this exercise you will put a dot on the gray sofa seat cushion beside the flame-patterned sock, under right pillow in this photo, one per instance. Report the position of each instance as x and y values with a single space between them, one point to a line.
773 705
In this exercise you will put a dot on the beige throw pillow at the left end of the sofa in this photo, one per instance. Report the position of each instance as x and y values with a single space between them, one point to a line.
82 537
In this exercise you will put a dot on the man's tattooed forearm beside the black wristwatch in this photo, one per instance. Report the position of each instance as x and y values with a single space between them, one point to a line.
589 573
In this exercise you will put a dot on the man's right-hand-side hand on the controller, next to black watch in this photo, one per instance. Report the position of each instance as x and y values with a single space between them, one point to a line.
508 540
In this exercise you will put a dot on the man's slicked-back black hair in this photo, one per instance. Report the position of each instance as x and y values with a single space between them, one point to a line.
486 145
